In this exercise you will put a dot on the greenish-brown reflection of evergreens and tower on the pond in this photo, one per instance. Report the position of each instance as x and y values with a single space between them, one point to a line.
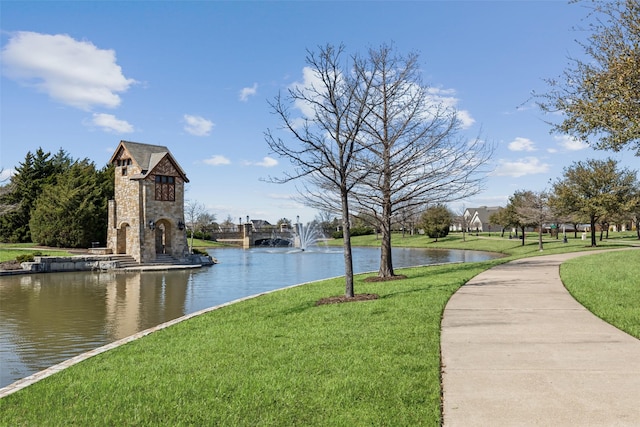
47 318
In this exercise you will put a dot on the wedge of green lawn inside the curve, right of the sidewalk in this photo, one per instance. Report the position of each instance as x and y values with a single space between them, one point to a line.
608 285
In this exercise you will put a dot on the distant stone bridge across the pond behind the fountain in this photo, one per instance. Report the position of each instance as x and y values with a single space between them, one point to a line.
247 236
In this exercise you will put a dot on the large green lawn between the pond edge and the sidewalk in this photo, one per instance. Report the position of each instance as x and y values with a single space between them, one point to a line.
274 360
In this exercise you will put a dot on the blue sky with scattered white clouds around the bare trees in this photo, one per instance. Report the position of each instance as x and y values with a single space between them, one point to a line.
197 76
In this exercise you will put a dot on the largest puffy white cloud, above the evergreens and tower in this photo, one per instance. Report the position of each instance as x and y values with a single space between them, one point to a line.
72 72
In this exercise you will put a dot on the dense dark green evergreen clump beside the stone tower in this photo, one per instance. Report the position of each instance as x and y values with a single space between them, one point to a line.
55 200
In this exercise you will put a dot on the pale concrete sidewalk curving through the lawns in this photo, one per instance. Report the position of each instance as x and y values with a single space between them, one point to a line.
518 350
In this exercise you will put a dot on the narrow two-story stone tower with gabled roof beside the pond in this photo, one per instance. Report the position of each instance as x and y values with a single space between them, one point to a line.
146 217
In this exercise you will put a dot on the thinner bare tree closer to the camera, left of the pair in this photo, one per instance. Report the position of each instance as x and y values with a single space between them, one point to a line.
323 144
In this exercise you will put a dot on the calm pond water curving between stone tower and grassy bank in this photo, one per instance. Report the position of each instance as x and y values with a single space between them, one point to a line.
48 318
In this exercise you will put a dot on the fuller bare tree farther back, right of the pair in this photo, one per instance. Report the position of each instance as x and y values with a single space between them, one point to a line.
415 154
